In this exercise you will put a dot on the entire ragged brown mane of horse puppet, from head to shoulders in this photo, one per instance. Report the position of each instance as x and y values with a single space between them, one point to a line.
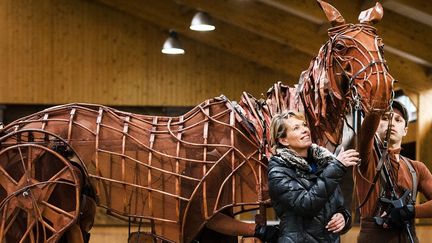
316 95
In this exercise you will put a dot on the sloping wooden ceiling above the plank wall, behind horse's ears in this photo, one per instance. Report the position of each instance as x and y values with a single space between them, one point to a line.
285 34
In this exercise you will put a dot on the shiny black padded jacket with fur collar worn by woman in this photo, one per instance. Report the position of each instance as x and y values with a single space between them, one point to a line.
306 198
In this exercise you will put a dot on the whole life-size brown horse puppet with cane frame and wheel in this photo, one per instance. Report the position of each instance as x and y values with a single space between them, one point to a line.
177 175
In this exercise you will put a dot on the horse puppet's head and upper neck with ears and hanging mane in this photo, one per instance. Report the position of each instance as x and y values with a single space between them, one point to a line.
349 70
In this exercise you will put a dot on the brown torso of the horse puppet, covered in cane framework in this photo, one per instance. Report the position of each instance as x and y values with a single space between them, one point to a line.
173 173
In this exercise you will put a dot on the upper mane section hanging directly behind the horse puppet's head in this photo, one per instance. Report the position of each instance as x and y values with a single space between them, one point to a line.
324 105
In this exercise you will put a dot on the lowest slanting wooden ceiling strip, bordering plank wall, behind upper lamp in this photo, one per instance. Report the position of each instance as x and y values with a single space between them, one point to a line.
170 15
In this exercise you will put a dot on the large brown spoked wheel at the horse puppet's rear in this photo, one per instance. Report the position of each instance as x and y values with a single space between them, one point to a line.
39 194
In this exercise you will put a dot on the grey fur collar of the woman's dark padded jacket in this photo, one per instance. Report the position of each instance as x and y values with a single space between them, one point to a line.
319 154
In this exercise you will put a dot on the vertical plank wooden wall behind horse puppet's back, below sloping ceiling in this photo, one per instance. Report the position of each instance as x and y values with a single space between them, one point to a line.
61 51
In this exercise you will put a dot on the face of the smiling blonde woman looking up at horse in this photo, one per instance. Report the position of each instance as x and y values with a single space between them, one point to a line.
298 135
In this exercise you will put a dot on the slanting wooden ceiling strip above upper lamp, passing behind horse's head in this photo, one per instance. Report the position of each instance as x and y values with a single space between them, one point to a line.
268 21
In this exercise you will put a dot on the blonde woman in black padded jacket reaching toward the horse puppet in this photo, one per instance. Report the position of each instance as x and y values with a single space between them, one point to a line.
304 183
